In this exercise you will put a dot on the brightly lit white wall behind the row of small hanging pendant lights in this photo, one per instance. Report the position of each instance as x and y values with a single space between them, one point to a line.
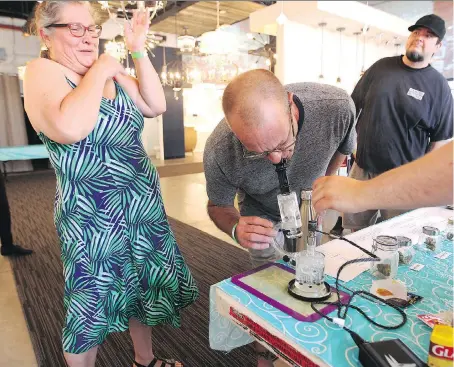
299 47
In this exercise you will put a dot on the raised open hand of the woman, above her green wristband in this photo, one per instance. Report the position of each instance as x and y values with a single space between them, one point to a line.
136 30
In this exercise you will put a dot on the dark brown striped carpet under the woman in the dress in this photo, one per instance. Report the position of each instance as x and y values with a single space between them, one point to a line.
40 285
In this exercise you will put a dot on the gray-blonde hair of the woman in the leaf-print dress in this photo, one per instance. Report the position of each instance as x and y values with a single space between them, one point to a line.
47 13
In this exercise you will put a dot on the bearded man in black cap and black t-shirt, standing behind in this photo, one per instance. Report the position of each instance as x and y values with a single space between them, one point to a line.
404 108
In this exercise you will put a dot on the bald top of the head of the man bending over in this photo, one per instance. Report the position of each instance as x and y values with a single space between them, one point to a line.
246 95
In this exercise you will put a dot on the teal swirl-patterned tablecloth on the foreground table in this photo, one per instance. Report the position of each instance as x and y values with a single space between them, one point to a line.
329 342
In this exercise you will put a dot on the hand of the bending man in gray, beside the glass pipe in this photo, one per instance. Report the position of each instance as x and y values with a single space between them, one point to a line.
255 232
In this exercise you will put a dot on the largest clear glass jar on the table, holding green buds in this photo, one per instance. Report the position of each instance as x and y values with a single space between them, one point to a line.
386 248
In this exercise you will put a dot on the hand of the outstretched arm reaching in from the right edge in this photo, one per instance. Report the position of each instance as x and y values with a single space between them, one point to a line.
339 193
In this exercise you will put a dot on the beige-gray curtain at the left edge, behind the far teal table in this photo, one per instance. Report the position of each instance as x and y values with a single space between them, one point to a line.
12 121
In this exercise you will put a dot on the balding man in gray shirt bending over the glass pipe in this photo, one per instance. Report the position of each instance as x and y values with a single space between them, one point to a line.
310 124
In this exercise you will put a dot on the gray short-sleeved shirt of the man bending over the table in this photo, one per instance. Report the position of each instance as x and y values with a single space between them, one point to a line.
329 116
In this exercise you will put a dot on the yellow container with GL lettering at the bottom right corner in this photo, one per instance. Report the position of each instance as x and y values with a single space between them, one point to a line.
441 347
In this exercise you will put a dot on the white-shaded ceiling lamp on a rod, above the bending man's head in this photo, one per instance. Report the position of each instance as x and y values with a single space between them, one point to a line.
218 42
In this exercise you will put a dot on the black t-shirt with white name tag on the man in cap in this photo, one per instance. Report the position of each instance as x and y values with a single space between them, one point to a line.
401 111
